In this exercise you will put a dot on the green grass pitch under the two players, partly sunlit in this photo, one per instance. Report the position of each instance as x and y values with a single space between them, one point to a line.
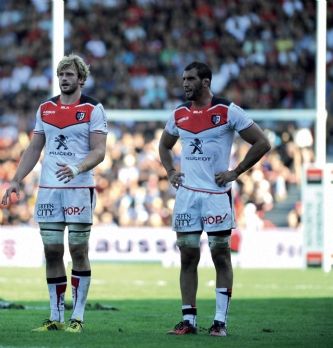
269 308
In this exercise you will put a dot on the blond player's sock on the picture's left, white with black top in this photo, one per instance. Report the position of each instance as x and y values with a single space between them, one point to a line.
57 288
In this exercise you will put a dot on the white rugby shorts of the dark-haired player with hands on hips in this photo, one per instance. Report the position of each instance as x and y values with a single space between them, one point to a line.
202 211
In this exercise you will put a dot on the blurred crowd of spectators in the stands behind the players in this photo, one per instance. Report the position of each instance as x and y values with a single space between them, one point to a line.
262 54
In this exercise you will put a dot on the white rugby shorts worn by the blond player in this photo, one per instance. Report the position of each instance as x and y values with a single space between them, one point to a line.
65 205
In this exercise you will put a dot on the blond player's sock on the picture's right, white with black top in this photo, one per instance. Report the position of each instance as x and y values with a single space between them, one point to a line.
80 288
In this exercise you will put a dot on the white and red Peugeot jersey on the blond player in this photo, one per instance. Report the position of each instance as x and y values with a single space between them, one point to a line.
66 129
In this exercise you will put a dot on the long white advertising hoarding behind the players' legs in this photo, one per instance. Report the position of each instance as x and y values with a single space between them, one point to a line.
273 248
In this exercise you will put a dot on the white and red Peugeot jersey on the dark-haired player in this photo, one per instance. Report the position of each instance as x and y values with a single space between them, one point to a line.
206 136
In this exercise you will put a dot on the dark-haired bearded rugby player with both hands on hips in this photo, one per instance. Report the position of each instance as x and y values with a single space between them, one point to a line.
206 125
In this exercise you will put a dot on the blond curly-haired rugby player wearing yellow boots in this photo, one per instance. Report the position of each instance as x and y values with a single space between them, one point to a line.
71 128
